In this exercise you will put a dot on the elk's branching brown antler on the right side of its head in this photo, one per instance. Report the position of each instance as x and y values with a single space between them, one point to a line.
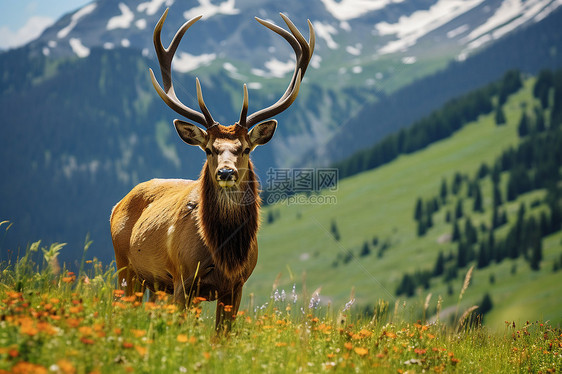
303 51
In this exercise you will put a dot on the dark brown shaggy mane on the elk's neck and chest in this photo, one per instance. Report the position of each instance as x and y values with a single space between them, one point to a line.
228 221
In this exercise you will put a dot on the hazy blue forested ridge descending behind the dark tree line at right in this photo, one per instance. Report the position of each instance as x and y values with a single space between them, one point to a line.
528 50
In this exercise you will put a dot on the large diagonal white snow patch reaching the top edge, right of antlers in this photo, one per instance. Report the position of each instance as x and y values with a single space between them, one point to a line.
409 29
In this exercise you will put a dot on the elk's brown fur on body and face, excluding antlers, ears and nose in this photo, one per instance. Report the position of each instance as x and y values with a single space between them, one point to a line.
192 238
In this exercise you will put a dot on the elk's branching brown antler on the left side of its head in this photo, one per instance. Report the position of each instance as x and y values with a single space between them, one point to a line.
165 56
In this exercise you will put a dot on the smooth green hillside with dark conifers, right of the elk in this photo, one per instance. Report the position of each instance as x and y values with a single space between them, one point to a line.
377 207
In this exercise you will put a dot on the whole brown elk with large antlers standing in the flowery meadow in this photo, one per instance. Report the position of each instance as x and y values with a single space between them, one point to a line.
198 238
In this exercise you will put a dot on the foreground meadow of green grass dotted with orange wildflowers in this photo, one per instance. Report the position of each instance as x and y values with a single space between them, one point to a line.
54 321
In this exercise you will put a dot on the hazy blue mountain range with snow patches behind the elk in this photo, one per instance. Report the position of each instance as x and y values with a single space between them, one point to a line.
81 123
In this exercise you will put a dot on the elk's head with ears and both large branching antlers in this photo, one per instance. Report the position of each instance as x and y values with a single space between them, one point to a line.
228 147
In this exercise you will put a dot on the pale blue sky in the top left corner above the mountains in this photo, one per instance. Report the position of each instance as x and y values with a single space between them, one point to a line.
23 20
